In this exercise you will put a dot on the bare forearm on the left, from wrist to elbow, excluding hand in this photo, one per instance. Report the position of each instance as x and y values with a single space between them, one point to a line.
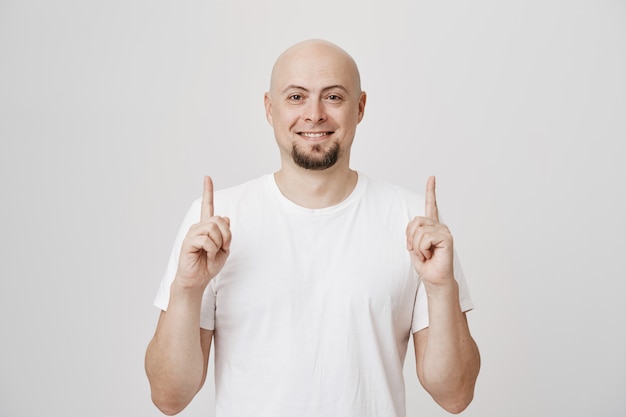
175 360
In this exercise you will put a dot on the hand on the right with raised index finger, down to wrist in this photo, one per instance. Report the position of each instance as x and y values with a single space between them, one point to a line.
430 243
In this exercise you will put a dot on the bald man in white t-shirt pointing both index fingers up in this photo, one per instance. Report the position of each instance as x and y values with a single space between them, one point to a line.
311 281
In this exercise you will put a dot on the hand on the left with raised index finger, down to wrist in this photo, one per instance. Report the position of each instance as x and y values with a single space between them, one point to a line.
206 246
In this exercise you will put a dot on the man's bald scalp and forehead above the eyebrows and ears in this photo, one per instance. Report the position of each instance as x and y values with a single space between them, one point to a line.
314 58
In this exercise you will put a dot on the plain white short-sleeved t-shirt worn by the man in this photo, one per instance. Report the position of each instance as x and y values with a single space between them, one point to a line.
314 308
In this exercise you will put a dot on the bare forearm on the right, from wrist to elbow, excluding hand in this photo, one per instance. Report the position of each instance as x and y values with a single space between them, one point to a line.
450 359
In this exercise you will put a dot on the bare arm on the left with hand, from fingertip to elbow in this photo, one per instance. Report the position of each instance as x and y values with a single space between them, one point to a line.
177 356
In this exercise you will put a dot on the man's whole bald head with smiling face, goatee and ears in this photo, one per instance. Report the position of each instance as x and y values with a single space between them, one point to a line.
314 105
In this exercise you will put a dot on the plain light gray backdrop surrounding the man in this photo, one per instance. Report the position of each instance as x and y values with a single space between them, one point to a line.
111 112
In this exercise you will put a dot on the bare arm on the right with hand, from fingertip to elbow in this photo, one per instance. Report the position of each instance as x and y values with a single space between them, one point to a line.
446 356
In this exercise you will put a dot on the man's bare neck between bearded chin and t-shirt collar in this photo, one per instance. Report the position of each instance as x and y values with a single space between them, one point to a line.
316 189
